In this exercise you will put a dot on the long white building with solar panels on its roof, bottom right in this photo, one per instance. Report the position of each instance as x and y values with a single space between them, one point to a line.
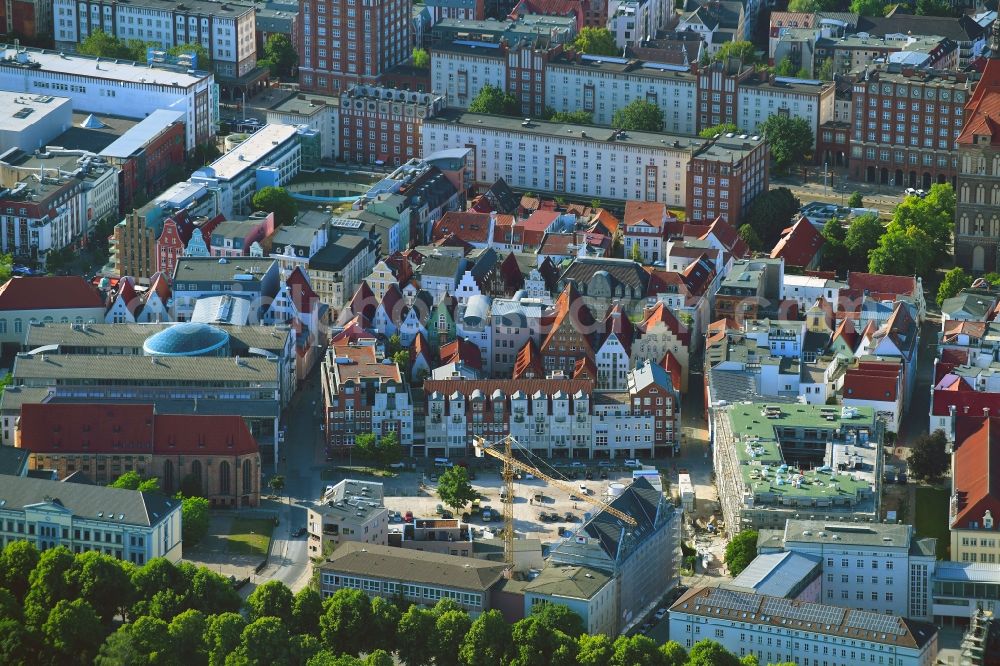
783 630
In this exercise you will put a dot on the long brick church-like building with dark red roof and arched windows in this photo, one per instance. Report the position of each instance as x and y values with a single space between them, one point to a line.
214 457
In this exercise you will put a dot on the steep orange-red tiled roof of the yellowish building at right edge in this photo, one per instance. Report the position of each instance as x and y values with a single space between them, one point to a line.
977 469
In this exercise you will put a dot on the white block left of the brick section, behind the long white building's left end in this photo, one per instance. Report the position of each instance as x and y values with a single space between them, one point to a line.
459 74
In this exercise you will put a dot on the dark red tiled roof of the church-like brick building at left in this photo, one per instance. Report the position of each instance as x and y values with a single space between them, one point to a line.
128 430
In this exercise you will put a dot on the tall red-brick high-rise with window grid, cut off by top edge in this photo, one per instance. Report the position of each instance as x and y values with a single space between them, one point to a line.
342 44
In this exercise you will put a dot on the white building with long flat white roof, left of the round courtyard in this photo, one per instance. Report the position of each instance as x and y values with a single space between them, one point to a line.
271 156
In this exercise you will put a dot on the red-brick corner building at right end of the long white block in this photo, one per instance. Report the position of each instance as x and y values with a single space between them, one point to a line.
725 176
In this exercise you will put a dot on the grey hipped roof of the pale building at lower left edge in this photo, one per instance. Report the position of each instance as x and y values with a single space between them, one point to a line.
114 505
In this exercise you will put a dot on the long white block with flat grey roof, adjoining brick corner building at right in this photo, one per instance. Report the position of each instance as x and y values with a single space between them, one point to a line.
574 160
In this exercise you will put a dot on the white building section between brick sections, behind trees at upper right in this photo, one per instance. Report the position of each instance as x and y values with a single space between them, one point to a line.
812 103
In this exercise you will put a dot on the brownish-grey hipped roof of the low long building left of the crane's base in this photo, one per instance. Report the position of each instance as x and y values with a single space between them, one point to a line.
399 564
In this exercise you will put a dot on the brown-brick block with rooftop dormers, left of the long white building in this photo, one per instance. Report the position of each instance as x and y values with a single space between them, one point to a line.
384 126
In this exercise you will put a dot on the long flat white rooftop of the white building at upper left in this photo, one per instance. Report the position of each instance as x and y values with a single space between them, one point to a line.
99 68
